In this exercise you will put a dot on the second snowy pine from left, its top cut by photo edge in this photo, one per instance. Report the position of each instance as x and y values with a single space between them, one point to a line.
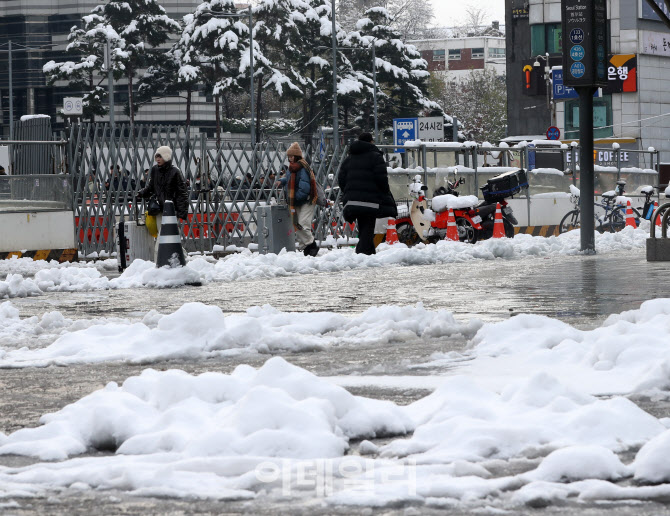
144 26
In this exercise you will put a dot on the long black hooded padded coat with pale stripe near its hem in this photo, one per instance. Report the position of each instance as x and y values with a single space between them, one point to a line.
363 179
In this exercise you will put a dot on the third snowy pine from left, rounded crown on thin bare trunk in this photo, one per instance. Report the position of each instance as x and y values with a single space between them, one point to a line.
215 49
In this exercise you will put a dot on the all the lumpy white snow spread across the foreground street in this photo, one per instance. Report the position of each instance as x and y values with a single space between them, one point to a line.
530 390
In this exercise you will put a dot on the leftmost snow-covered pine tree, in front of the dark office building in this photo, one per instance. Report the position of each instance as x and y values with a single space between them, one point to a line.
86 72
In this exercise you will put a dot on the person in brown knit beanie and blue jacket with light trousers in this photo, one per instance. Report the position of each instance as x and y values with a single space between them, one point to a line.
301 194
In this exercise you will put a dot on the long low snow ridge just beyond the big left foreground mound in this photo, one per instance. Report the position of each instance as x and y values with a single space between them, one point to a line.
197 331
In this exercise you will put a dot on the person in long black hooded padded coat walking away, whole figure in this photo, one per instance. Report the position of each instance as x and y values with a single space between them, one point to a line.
365 186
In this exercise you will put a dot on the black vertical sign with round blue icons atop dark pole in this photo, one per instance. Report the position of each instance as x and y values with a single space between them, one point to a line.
585 44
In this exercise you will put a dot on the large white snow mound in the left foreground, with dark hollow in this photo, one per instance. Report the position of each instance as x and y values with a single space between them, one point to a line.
279 410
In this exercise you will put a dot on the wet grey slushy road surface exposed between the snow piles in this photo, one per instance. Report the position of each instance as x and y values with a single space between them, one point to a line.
579 290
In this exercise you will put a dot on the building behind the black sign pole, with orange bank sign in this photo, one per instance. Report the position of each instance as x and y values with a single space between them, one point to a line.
635 106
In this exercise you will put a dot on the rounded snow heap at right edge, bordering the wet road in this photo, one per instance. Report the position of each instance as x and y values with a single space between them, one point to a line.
628 353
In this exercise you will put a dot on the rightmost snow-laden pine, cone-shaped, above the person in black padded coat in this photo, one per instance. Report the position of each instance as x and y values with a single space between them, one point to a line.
402 74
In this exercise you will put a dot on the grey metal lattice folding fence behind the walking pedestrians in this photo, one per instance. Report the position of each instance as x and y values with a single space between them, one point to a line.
226 182
